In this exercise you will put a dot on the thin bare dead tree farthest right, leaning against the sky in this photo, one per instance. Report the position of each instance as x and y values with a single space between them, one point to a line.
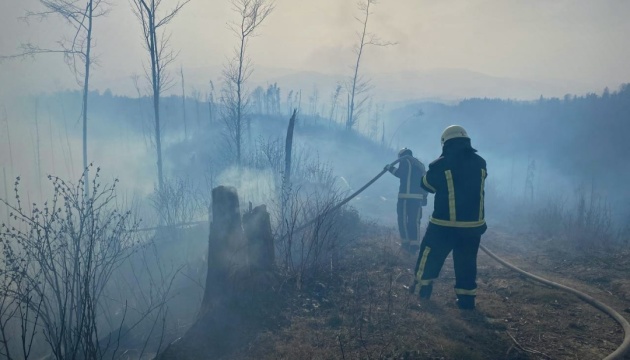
358 85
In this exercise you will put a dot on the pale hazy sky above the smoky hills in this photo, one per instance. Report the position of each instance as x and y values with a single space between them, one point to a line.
582 41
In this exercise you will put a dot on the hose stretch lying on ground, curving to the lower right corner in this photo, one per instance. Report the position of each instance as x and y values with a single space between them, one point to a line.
625 345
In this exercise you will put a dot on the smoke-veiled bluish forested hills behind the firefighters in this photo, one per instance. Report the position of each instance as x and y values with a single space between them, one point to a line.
556 144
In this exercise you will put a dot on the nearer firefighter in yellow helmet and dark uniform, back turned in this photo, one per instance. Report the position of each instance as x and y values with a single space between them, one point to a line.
457 179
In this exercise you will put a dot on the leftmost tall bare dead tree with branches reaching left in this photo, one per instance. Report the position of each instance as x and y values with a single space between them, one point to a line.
77 50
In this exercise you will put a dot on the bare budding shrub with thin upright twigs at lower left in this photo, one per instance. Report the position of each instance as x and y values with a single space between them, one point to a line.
58 259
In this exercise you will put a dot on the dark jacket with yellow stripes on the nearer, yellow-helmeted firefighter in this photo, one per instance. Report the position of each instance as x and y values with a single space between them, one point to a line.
457 179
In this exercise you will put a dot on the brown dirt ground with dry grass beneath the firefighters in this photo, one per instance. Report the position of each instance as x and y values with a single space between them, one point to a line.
363 310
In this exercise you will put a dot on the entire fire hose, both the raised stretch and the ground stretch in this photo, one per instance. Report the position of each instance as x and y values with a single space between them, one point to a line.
616 355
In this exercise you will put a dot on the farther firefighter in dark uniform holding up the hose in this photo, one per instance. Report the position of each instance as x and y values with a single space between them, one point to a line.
411 198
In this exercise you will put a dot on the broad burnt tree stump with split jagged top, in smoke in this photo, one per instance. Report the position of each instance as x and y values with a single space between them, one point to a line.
237 303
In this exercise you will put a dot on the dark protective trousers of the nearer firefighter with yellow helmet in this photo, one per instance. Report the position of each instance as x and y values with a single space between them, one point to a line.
437 243
